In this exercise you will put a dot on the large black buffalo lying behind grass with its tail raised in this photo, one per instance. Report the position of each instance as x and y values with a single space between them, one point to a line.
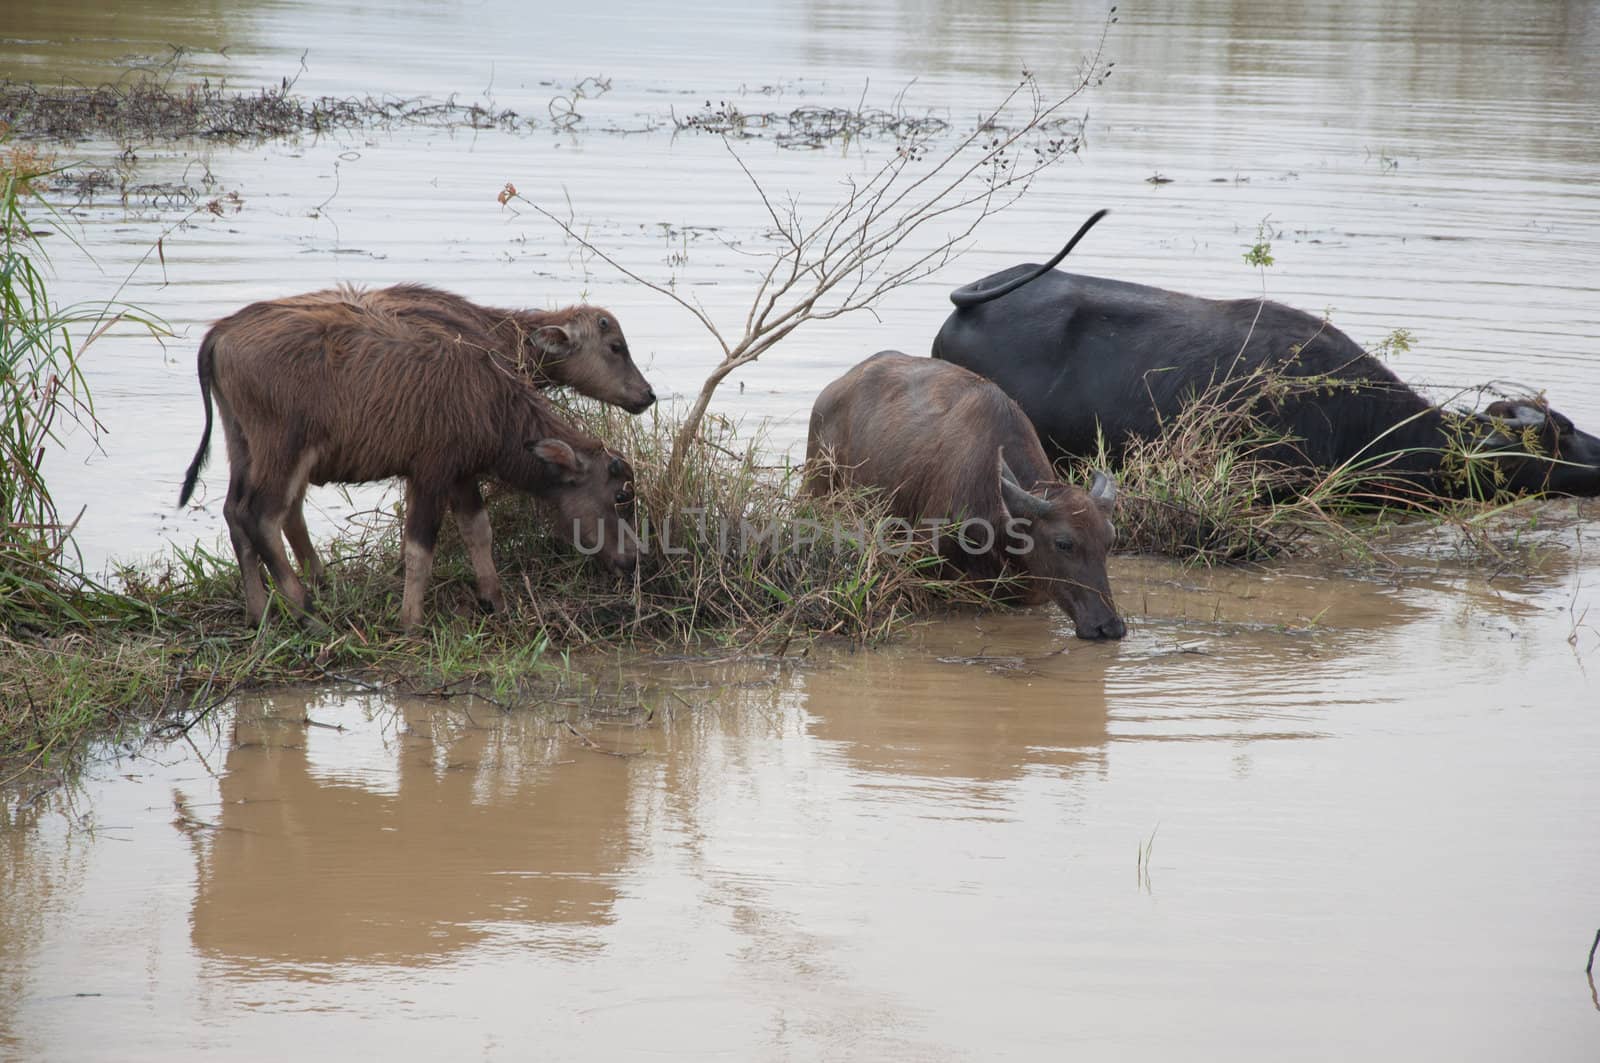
1086 355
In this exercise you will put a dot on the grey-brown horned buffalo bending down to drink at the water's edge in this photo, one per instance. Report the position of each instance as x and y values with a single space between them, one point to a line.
948 446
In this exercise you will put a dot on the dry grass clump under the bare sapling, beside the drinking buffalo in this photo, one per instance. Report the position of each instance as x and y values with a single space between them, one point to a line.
730 552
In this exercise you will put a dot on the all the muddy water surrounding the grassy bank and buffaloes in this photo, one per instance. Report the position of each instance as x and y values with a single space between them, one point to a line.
1295 814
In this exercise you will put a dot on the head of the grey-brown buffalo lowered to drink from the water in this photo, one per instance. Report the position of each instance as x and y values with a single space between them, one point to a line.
1062 534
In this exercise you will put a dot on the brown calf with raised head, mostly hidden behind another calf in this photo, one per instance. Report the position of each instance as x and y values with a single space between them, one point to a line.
578 347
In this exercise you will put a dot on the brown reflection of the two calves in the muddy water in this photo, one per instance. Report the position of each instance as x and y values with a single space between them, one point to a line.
409 856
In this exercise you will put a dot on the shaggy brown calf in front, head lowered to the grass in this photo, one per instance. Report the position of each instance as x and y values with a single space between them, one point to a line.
324 391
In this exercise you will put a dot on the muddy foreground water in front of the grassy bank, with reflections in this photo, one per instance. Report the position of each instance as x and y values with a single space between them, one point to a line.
918 852
